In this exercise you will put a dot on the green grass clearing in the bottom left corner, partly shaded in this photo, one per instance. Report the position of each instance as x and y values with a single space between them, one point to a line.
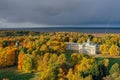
13 74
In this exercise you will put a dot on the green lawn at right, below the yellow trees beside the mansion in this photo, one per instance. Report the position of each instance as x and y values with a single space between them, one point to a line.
111 61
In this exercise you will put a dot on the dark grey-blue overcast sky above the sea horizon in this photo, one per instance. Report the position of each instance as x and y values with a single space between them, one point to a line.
41 13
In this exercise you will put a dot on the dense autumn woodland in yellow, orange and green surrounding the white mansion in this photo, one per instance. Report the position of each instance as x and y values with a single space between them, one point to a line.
46 53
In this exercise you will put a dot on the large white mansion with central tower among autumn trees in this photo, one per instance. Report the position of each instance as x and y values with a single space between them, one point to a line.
87 47
